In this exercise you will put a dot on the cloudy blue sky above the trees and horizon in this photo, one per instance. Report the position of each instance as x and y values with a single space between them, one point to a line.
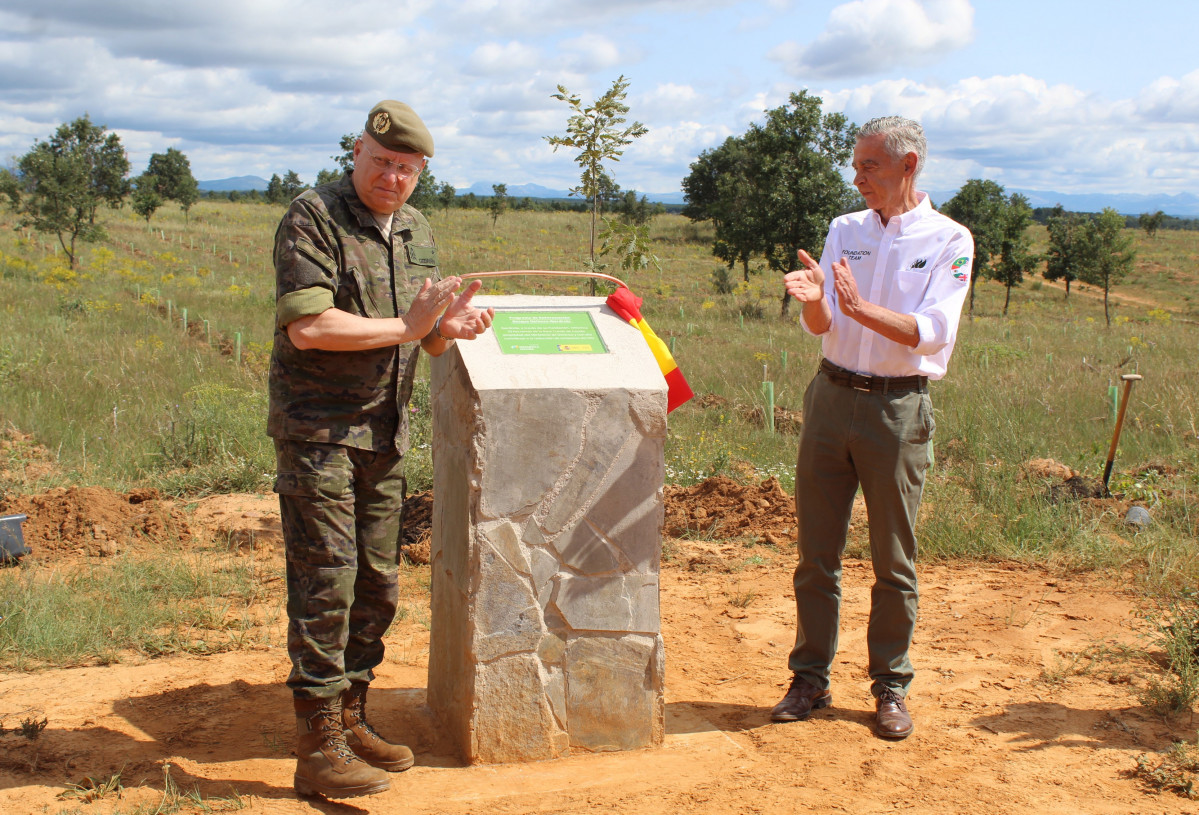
1061 95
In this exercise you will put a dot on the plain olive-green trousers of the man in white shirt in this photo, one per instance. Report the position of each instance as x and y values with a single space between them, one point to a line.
879 442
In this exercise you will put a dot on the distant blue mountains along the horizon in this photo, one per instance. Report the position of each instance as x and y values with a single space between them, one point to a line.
1184 206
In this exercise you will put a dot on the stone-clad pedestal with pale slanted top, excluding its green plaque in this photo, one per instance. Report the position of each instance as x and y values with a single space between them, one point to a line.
549 474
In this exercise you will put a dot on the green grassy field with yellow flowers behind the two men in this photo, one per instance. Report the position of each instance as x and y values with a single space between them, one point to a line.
98 366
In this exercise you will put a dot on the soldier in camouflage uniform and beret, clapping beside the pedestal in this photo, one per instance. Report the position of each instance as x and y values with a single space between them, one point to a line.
359 294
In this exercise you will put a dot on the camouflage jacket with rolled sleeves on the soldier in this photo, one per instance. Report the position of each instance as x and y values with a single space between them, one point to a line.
329 252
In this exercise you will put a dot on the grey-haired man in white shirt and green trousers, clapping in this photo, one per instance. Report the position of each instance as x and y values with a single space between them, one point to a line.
885 300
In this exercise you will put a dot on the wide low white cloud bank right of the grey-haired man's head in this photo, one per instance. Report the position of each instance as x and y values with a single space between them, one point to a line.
1028 134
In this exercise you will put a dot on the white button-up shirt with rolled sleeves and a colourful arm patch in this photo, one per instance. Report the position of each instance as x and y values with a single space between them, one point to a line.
919 264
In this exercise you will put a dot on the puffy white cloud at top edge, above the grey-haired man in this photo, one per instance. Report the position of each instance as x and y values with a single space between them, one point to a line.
875 37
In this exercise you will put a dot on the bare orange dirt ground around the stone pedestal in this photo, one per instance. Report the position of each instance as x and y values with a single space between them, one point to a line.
1017 708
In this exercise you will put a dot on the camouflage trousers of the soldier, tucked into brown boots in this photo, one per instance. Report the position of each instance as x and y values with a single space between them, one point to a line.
341 512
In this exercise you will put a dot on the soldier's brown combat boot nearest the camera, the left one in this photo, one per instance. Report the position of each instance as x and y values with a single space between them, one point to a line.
326 765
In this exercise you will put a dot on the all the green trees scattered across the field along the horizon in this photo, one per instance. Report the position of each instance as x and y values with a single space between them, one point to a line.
769 194
